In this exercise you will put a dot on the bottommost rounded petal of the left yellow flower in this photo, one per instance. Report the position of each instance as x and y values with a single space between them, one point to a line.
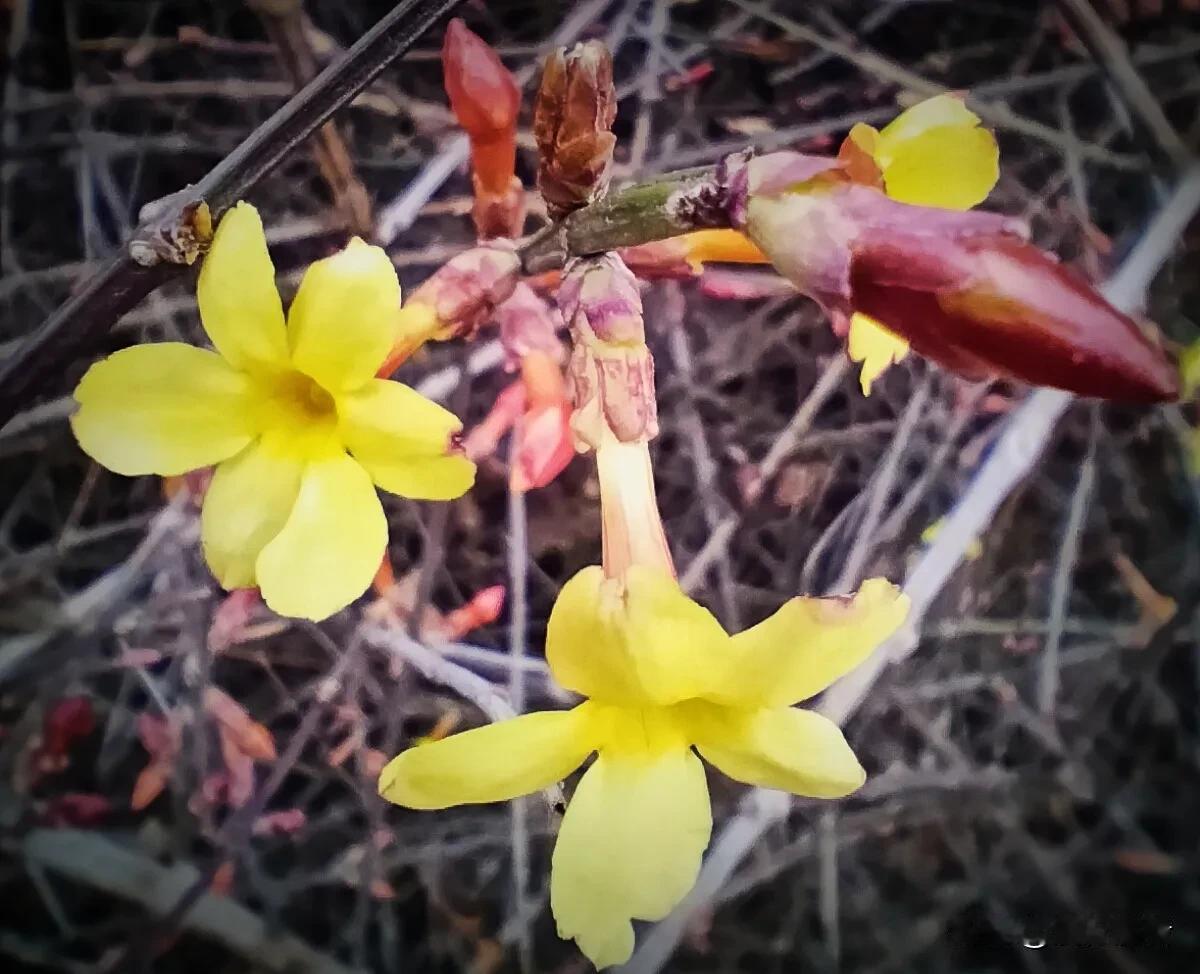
331 546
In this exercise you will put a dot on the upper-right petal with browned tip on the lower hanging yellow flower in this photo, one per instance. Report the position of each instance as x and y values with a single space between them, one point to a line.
809 644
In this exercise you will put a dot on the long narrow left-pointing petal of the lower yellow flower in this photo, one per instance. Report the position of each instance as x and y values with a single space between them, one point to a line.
491 763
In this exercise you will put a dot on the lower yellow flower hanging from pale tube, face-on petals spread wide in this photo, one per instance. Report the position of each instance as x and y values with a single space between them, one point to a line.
662 678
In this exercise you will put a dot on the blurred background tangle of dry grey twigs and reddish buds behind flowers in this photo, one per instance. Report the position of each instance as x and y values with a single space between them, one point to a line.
188 783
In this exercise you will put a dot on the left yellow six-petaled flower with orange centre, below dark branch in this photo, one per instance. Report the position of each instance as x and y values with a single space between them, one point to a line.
291 412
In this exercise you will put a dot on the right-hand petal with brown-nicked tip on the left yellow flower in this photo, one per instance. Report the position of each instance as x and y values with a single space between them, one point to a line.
404 441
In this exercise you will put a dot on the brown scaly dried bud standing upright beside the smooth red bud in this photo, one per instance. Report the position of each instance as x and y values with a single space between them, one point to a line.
573 121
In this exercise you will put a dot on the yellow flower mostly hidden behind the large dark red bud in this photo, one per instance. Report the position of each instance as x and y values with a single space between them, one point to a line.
935 154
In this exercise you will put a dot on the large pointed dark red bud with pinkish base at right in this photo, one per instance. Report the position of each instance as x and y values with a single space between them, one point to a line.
964 288
